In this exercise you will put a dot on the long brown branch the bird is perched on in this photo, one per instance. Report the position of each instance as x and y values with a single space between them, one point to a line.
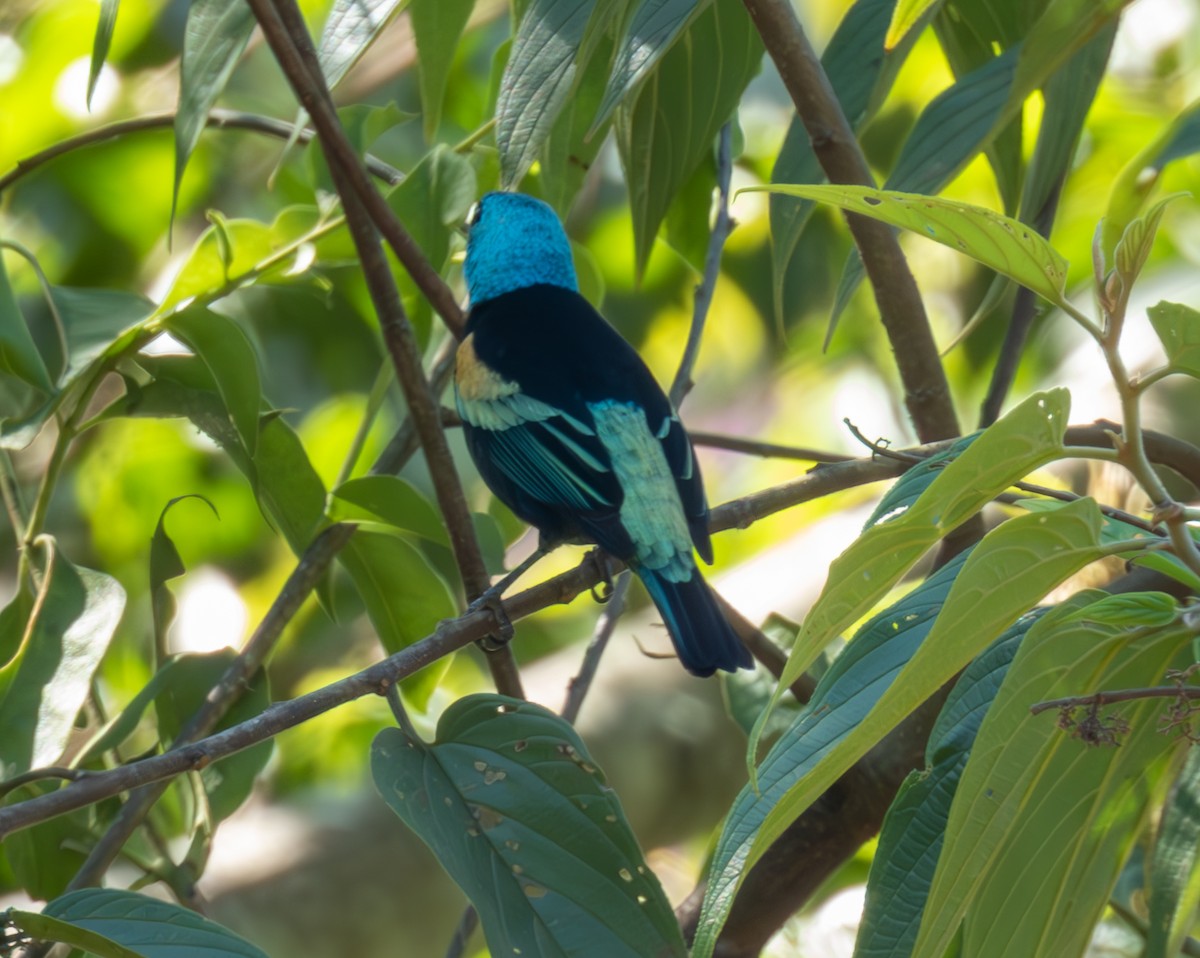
449 637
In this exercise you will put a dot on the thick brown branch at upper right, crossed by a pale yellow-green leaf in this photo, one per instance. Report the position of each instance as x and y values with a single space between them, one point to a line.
927 392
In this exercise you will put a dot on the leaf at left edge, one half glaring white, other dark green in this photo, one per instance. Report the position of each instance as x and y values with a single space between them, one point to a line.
64 644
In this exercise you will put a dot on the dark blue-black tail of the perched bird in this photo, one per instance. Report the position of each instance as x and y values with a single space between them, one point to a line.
703 637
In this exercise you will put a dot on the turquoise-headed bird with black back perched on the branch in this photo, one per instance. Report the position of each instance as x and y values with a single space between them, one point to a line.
568 427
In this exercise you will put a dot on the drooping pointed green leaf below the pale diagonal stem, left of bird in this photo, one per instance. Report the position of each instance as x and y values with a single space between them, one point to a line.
230 356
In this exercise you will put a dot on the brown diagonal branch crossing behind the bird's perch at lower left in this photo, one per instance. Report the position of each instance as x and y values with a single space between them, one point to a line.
308 573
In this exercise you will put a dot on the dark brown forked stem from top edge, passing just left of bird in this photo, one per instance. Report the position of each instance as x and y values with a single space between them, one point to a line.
287 35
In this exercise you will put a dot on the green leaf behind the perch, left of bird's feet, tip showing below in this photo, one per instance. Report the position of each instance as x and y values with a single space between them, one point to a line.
404 596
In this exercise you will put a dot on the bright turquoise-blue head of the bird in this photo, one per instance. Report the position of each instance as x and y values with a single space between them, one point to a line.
514 242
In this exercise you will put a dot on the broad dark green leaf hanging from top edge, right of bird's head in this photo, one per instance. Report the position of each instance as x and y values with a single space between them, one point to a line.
704 77
